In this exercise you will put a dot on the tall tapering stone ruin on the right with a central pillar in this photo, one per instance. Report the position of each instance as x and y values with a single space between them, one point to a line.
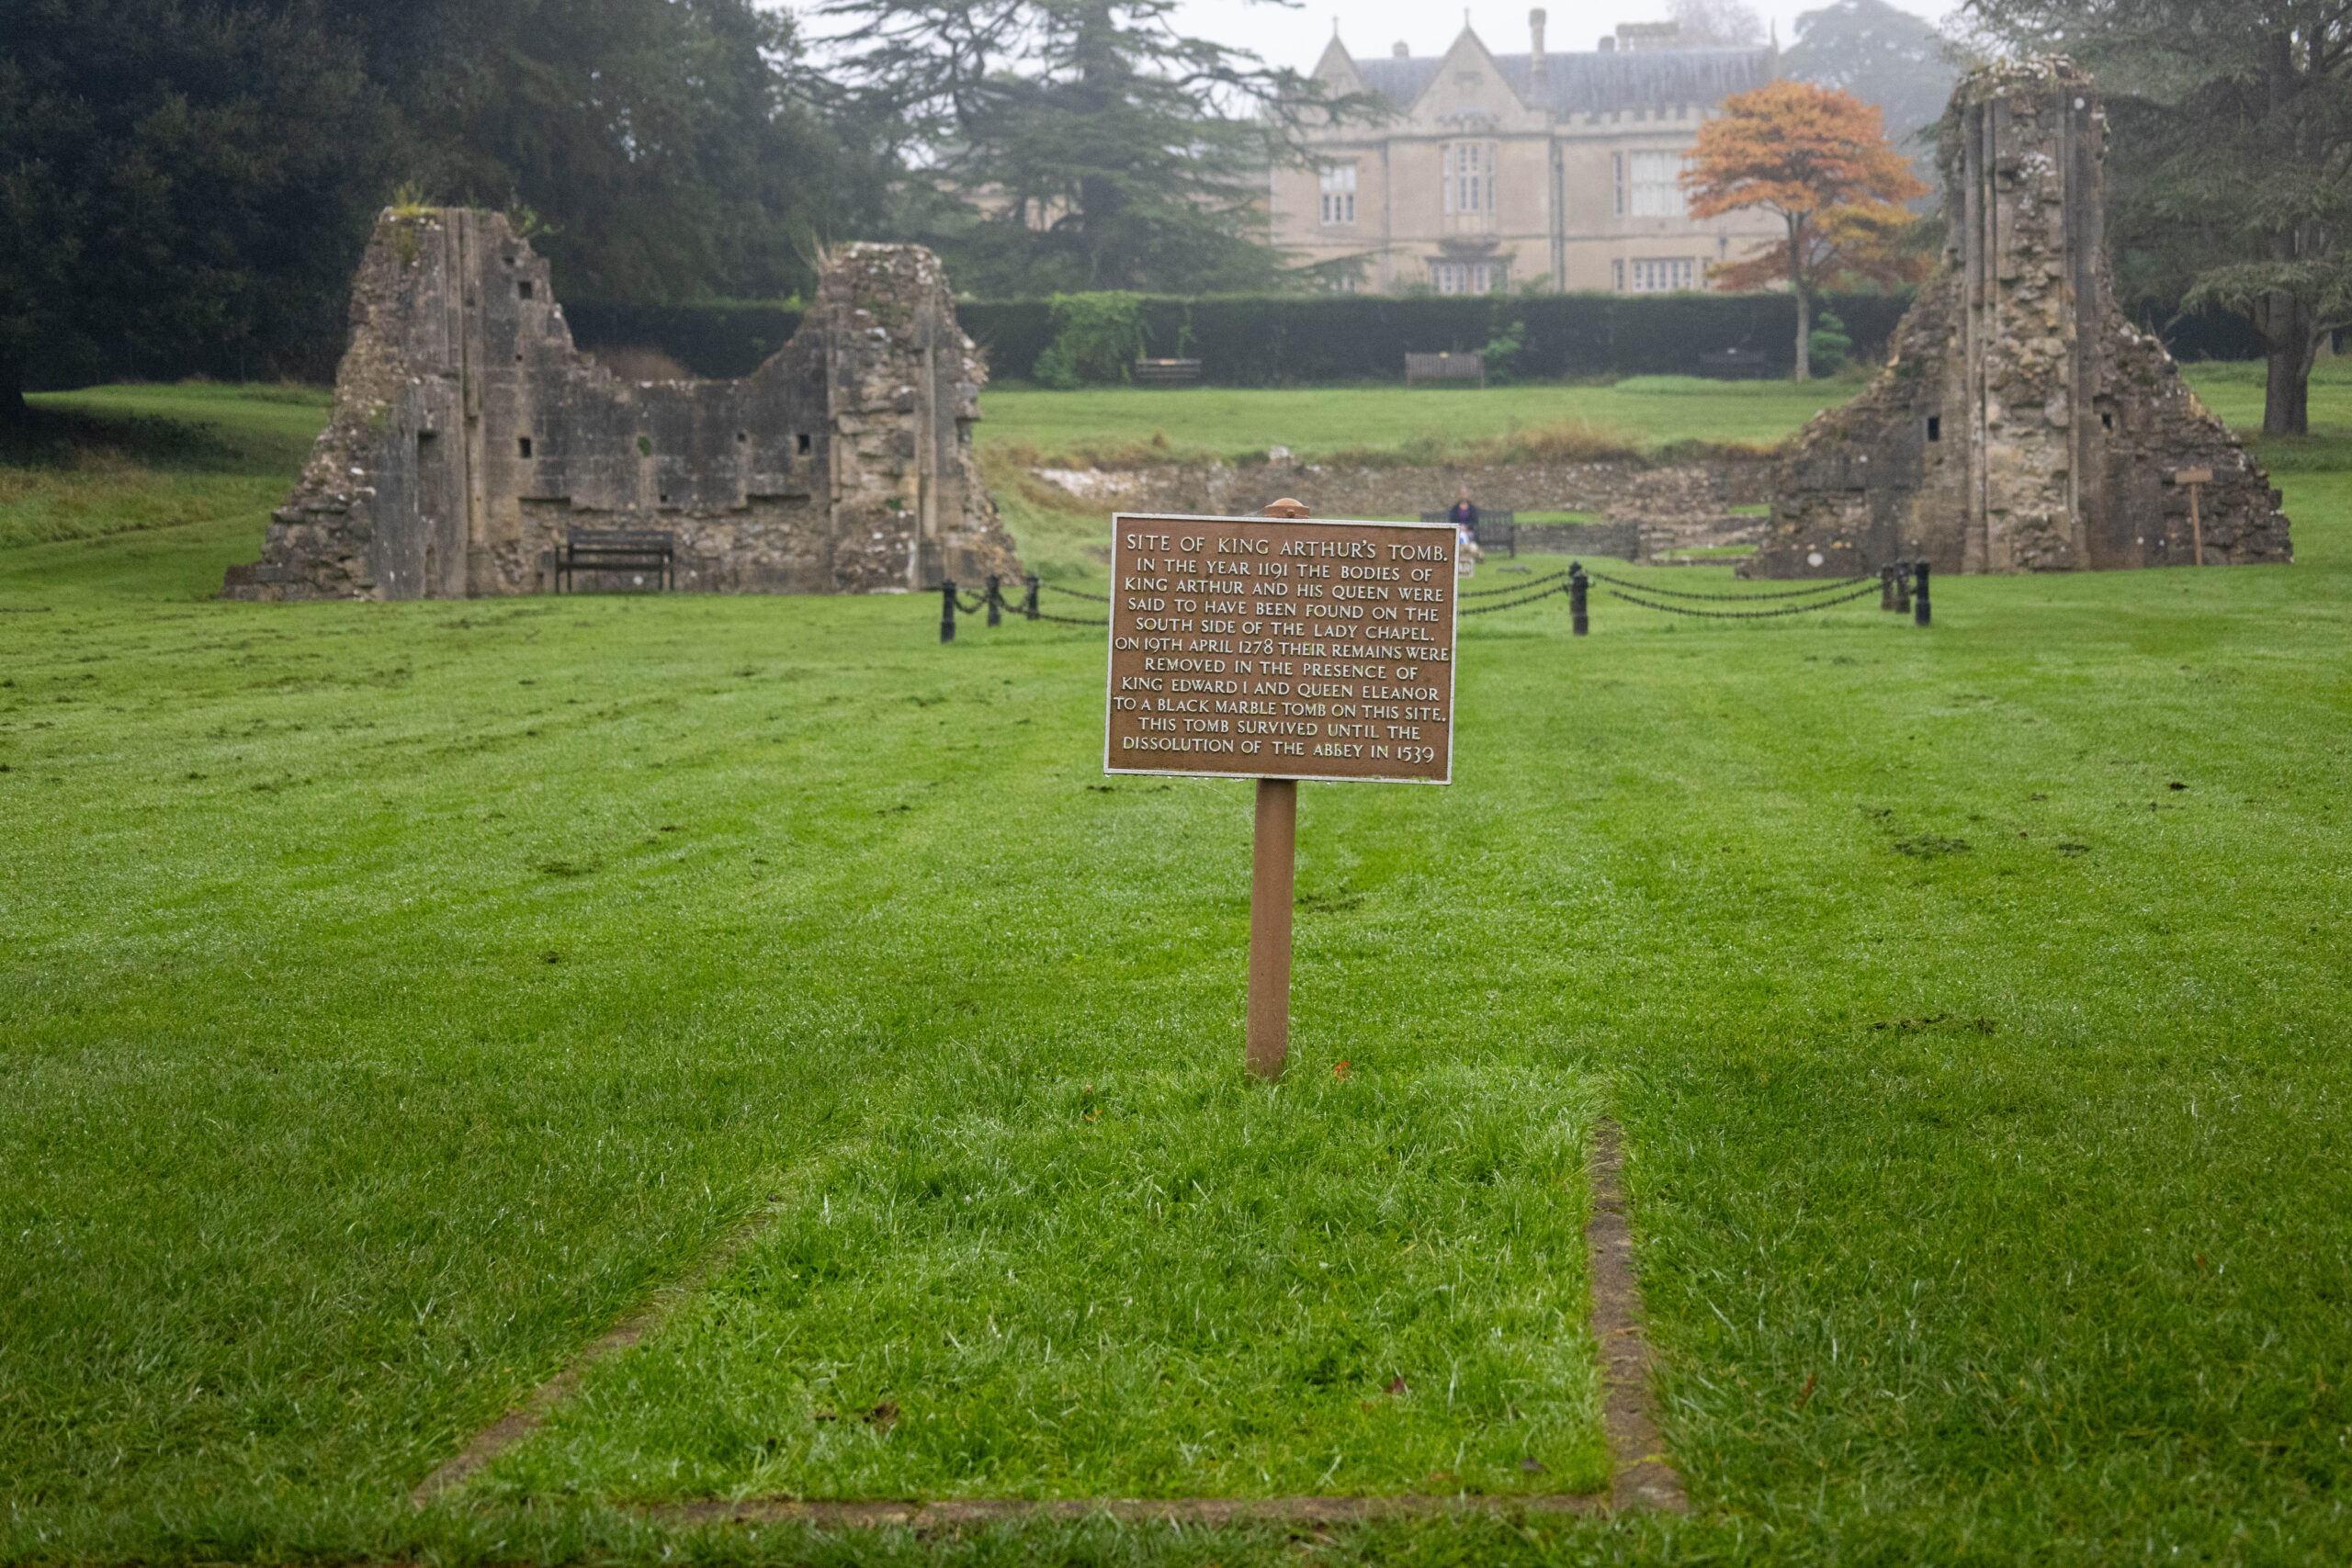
2022 422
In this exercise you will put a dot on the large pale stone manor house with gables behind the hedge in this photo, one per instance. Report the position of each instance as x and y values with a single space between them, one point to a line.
1506 170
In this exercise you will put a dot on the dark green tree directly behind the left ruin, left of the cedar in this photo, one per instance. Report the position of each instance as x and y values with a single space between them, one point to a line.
667 147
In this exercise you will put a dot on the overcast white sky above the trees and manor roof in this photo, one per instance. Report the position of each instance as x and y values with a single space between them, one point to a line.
1295 36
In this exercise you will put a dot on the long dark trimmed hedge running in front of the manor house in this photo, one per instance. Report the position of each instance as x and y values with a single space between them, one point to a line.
1354 337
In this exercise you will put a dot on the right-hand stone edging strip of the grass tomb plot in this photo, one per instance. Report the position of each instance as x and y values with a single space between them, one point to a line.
1641 1473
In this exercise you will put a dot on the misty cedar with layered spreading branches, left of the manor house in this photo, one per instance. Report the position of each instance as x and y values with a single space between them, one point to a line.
1074 145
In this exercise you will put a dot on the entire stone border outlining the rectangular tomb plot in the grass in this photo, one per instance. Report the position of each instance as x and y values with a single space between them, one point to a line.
1643 1477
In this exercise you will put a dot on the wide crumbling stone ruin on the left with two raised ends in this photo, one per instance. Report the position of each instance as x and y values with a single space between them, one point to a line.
469 436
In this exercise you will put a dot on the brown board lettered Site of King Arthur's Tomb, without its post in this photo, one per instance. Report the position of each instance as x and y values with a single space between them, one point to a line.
1281 648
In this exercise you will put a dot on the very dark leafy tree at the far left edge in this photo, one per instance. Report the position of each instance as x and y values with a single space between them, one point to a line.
180 185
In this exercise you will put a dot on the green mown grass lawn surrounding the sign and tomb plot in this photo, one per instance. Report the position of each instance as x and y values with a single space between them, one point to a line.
396 996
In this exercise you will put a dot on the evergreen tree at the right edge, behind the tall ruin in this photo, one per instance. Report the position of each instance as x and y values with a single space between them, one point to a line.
2240 156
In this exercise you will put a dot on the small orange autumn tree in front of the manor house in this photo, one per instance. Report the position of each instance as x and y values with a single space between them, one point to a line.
1819 159
